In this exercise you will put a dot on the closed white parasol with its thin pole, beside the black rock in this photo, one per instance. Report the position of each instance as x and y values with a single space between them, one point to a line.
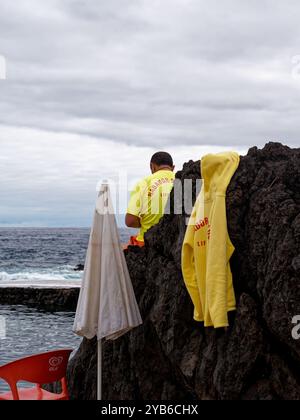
107 306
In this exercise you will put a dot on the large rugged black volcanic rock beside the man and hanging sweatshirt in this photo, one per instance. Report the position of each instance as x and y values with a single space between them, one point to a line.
173 357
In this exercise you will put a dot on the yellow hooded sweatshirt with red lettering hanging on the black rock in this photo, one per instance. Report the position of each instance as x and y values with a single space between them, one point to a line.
207 247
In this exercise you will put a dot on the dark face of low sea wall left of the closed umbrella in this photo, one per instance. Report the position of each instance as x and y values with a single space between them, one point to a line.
47 299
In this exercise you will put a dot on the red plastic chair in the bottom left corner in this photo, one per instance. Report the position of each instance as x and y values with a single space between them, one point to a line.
39 369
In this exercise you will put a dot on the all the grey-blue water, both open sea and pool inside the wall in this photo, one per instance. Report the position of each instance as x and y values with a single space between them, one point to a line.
47 257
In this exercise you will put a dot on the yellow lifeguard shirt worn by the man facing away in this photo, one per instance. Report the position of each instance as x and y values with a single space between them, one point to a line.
149 198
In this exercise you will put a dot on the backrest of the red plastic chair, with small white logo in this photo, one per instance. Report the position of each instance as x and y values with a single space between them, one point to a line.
41 369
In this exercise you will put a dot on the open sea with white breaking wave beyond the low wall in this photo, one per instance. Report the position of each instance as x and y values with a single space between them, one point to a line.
44 256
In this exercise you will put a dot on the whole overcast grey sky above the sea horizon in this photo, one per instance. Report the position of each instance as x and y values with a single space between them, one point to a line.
94 87
